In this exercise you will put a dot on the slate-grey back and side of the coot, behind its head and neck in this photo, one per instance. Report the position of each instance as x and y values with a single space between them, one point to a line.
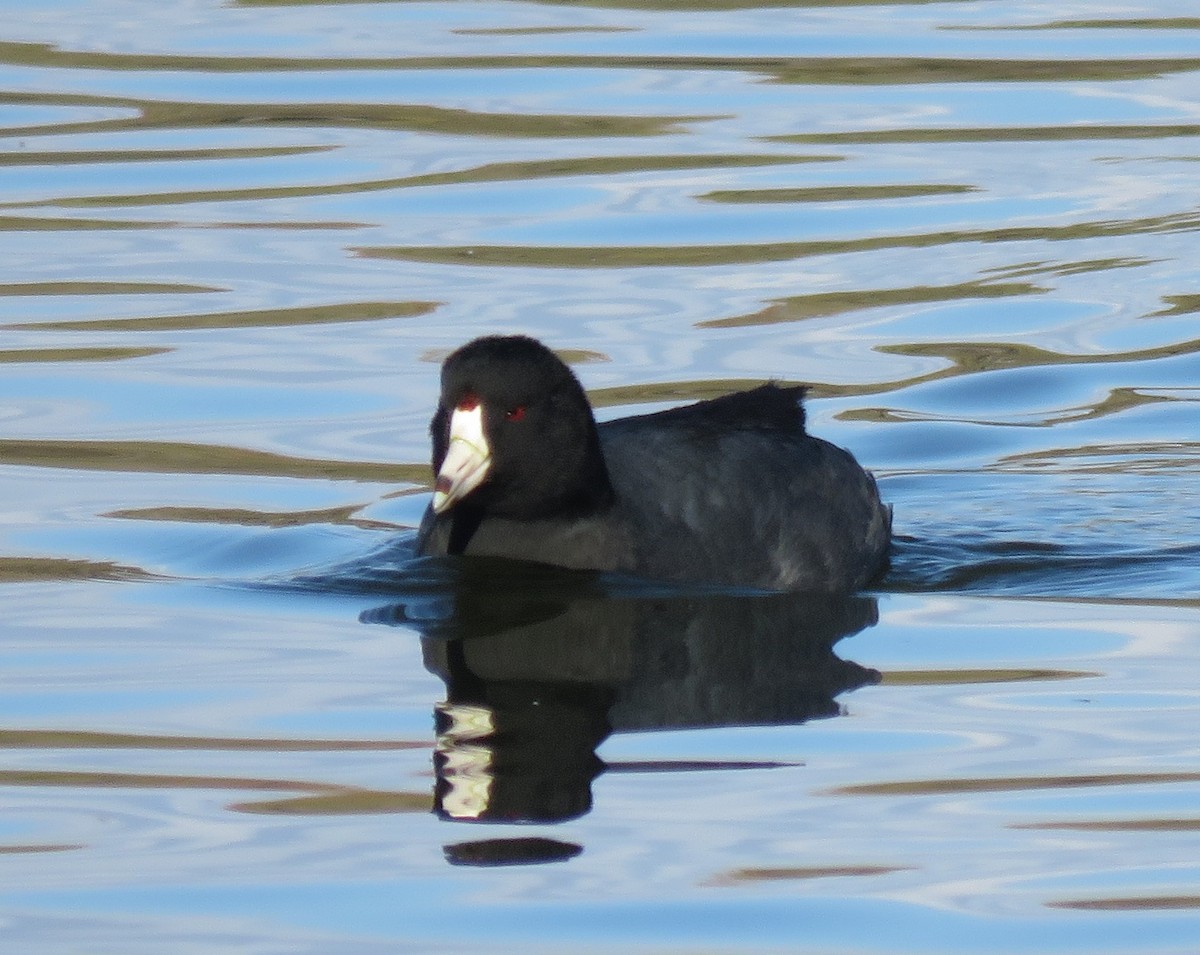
735 491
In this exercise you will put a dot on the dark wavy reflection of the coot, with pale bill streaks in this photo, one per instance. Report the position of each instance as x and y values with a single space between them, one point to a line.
543 665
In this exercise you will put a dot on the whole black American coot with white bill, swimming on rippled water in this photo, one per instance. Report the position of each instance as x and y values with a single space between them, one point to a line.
730 491
